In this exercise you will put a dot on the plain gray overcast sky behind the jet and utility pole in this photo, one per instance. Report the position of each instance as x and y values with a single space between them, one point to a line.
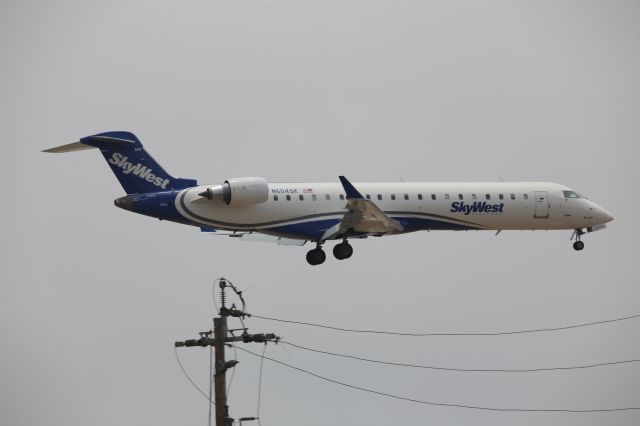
92 297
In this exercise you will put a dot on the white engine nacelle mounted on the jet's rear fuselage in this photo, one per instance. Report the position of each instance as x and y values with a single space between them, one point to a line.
239 191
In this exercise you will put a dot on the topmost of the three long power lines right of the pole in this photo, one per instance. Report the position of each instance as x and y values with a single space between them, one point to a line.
394 333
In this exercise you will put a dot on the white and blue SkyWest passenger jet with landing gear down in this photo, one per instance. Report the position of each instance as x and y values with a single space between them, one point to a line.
253 209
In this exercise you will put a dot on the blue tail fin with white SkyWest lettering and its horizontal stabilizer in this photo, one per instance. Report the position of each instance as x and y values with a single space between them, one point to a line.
136 170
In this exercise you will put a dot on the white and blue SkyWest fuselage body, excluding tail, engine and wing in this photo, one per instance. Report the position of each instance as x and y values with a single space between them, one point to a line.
306 210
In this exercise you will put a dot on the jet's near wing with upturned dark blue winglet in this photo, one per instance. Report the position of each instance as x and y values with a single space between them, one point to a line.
363 216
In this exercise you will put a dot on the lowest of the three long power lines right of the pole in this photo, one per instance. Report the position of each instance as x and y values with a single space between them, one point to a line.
440 404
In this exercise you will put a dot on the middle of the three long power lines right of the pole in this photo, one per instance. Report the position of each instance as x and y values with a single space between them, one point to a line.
466 370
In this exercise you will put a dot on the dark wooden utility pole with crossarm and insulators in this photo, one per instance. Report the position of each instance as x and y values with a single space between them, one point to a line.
219 341
